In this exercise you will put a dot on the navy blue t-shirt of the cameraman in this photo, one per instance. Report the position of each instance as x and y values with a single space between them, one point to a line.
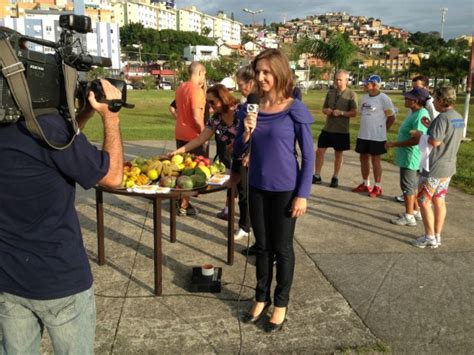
42 255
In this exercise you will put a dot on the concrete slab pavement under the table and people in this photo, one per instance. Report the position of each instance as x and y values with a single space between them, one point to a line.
359 285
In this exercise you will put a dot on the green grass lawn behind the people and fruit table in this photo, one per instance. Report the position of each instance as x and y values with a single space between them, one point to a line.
151 120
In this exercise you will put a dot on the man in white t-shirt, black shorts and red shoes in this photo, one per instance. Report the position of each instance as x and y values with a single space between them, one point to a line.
377 116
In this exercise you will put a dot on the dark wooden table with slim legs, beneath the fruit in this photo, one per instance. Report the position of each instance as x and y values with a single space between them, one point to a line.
157 199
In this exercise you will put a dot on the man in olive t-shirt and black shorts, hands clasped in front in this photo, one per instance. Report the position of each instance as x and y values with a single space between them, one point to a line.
339 106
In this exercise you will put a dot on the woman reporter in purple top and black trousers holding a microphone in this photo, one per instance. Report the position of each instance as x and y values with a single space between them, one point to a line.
278 185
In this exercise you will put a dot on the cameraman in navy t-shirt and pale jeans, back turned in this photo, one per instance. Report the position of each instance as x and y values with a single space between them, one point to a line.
45 277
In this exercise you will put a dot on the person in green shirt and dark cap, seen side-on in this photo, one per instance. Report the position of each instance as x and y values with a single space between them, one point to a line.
407 155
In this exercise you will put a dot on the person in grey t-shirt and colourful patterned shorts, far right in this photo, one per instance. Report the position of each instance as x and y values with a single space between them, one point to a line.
444 135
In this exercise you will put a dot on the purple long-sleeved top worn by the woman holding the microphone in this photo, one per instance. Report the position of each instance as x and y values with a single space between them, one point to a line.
273 157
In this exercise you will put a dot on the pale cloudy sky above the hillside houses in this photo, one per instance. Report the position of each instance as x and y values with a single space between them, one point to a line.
411 15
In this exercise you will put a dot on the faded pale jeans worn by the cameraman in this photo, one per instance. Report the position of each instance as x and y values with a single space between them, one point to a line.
70 322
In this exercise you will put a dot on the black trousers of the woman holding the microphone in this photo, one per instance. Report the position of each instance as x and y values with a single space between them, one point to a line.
274 230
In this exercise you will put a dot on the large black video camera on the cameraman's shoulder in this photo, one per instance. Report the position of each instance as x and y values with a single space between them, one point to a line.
44 72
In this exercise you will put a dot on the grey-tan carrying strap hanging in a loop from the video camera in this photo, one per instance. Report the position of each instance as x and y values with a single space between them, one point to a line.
13 71
